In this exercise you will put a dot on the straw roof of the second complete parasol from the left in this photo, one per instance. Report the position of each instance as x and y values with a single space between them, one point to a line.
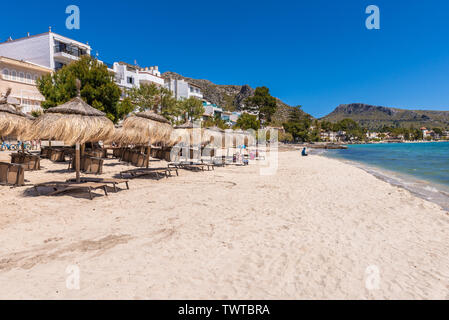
144 128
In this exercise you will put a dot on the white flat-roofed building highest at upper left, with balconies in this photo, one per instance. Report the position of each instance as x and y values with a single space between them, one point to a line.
47 49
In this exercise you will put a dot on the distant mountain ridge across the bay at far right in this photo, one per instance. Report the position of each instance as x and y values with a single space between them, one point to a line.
375 117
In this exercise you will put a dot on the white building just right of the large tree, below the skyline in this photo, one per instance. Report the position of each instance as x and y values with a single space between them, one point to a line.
129 76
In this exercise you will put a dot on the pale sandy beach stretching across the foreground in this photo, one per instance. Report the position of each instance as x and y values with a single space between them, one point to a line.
315 230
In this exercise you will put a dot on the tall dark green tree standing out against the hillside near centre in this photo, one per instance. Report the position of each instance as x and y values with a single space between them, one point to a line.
261 103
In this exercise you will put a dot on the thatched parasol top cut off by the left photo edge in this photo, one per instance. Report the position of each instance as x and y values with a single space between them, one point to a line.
12 121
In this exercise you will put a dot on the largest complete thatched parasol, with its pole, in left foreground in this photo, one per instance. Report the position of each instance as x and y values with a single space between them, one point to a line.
74 122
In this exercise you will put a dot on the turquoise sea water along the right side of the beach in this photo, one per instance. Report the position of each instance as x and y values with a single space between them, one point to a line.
423 168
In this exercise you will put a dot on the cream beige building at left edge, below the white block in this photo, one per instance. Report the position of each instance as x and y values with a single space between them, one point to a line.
21 77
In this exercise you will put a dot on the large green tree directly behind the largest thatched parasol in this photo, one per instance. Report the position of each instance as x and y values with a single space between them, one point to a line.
98 88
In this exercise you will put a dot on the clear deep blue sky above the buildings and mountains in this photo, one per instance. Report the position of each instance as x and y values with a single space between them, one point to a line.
313 53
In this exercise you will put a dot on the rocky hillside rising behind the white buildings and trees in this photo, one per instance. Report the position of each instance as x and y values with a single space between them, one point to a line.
231 97
